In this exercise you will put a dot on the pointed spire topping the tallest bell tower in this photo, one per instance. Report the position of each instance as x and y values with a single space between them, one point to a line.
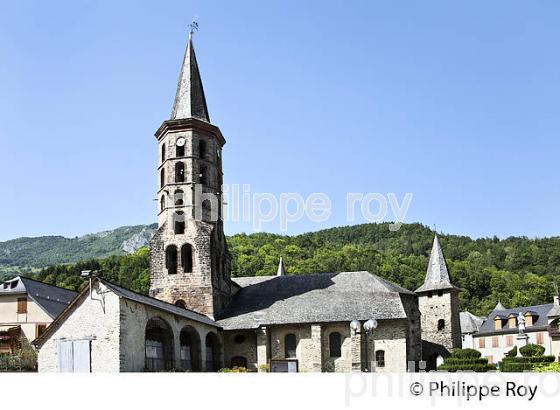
190 101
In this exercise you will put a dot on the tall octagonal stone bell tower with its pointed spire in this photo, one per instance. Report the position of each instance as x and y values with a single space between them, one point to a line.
190 263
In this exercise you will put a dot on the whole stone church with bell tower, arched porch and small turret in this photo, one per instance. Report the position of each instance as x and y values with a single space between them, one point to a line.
198 318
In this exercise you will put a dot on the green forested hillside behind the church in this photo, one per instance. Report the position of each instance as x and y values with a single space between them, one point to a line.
517 270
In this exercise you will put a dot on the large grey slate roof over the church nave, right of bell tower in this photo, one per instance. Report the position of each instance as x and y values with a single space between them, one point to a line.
317 298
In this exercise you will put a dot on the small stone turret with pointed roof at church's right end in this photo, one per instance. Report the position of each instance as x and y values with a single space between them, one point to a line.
438 302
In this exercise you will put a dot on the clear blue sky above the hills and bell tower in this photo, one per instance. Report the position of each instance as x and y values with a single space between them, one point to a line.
455 103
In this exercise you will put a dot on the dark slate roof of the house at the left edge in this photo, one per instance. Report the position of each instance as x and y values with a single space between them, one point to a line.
52 299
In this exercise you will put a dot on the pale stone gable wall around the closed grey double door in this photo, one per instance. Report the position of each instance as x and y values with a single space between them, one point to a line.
95 319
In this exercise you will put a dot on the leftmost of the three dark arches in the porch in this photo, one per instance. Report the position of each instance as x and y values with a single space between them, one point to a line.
159 347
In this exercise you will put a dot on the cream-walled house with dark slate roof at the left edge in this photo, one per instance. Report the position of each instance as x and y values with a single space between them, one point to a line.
27 307
